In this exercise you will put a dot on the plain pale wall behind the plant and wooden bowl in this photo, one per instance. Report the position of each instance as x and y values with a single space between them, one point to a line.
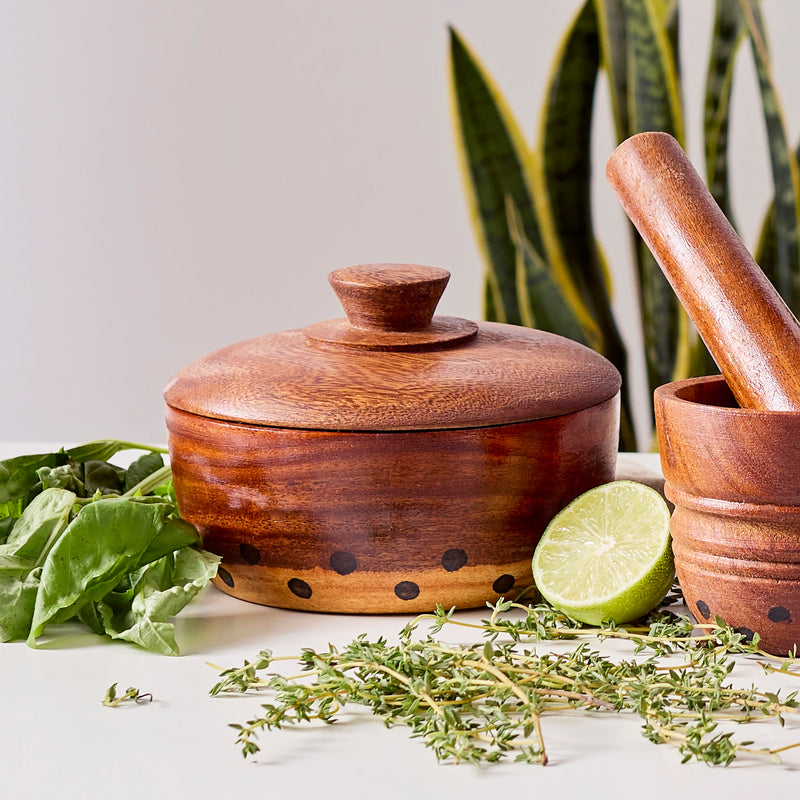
177 175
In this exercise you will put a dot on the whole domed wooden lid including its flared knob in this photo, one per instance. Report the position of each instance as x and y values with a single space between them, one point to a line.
391 365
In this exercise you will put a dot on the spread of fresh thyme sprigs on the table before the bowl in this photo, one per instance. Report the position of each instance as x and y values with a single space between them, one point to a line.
485 702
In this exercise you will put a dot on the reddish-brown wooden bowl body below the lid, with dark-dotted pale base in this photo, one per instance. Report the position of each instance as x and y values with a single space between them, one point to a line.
383 522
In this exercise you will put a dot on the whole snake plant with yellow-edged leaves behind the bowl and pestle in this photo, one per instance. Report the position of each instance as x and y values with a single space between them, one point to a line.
531 202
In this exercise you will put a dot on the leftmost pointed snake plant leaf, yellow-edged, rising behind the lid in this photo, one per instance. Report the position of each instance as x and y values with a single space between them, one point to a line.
495 164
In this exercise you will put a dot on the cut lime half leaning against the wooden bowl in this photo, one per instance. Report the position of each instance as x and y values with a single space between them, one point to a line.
607 555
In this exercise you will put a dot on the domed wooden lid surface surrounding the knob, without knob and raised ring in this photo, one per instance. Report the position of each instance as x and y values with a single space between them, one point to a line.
505 374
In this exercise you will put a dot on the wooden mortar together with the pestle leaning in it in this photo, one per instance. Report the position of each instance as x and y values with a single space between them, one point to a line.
729 446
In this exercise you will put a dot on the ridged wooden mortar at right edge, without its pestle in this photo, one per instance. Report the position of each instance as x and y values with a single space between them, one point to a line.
734 477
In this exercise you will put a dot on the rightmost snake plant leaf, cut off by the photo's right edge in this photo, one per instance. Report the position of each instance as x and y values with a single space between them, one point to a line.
783 268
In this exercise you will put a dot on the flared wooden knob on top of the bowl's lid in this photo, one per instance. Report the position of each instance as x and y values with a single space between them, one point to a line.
389 297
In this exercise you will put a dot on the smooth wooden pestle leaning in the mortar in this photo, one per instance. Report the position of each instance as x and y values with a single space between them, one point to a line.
747 327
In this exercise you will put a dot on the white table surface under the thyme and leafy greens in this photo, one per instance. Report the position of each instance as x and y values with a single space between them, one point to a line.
57 740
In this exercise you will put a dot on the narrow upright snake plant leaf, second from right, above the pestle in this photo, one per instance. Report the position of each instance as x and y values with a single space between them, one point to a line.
728 34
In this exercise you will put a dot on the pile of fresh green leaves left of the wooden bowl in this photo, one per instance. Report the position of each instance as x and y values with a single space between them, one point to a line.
84 539
